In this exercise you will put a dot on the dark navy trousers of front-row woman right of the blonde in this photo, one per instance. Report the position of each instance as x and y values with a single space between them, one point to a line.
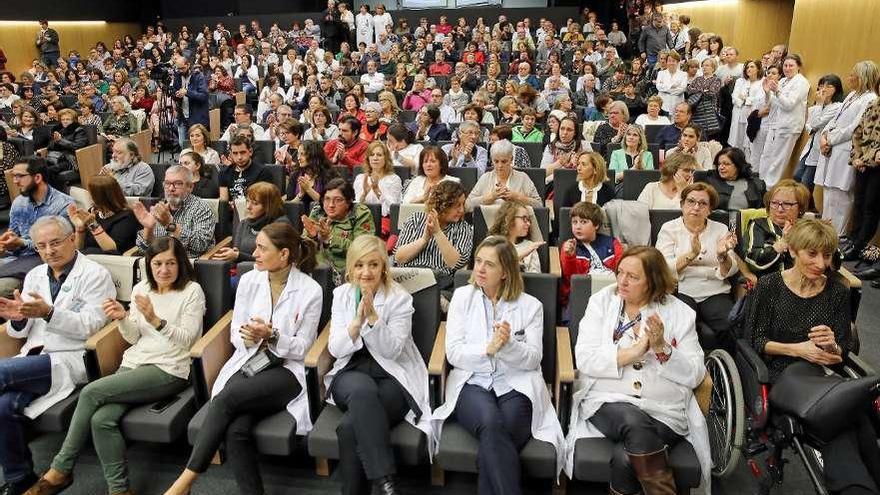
503 426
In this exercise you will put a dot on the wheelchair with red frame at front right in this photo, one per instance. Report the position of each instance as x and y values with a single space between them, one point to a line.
741 423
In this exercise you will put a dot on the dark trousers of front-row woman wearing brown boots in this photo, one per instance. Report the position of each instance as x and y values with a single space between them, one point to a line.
634 433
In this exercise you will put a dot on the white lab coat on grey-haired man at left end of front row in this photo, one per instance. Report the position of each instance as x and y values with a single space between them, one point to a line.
78 315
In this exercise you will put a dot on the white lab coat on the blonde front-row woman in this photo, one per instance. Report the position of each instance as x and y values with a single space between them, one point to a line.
390 343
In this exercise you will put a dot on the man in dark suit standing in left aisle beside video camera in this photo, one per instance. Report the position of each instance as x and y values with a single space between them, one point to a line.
190 91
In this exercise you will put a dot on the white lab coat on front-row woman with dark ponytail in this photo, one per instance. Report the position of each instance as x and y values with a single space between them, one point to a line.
296 316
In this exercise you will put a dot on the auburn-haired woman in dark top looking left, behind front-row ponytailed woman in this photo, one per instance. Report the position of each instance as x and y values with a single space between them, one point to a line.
263 205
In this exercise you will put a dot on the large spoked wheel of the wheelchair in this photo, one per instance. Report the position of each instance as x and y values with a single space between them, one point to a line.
726 413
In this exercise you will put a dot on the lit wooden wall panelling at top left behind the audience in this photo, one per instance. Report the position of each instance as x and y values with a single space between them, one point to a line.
17 39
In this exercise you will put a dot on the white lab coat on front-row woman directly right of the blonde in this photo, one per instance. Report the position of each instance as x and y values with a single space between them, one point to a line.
466 340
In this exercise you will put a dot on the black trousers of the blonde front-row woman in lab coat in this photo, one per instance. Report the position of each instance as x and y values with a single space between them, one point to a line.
373 403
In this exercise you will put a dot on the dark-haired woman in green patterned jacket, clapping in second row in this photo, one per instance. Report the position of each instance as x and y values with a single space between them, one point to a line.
335 222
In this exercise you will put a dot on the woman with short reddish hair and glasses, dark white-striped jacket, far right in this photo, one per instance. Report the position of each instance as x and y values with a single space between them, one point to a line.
766 248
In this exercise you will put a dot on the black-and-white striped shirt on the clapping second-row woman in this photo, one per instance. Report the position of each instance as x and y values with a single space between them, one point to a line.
460 234
